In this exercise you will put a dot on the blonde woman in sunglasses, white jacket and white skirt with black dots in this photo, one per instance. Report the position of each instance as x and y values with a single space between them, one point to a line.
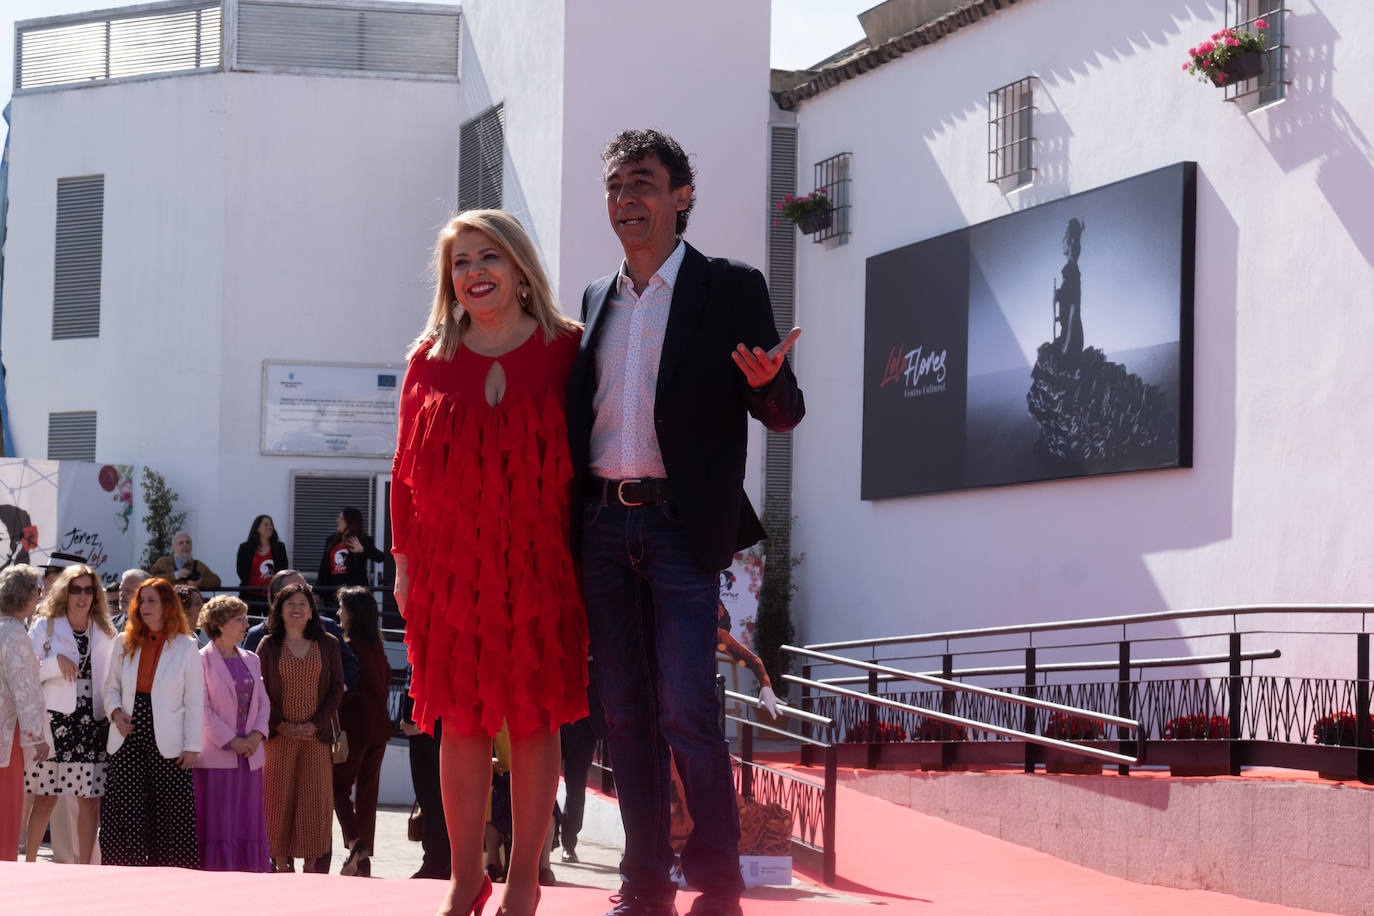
74 639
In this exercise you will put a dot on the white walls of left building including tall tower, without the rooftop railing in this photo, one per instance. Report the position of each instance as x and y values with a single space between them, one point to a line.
258 218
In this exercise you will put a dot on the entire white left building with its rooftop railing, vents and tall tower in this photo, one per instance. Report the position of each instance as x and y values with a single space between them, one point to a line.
271 176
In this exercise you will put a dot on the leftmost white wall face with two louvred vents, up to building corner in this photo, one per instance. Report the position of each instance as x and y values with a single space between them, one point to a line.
156 366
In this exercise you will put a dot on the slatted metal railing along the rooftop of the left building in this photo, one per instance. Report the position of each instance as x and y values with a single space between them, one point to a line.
308 38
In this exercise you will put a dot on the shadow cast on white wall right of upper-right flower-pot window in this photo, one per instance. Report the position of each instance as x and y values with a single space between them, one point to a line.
1311 126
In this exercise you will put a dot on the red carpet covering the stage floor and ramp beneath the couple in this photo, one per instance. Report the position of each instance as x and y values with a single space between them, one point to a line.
892 860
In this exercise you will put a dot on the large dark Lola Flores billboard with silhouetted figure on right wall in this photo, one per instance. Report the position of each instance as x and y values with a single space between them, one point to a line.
1053 343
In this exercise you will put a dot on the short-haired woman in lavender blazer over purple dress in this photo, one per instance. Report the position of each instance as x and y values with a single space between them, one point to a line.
232 826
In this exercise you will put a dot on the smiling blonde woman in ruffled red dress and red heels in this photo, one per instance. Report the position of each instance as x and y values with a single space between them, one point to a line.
480 513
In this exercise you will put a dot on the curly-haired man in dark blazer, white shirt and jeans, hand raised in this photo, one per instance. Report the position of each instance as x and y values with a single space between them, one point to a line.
679 351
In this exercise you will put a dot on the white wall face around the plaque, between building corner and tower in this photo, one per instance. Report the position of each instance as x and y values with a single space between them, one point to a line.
336 190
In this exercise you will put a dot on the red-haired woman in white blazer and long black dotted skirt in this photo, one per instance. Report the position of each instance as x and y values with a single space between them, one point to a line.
156 696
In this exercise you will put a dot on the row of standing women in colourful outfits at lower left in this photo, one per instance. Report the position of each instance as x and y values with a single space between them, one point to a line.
216 757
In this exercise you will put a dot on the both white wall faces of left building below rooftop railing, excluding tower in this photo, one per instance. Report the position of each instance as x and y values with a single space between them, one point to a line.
248 218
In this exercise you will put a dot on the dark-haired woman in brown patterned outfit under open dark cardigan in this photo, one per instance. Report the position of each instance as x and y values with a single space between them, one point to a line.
303 671
